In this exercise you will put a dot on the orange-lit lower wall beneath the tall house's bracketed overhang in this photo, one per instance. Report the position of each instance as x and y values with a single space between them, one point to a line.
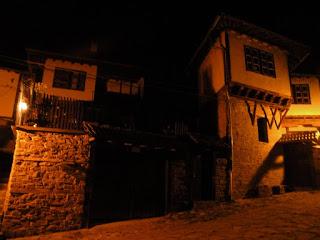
254 163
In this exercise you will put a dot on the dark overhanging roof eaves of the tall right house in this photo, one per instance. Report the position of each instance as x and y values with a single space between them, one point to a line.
299 52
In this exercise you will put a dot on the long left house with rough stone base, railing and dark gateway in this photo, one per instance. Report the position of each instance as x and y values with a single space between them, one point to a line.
83 157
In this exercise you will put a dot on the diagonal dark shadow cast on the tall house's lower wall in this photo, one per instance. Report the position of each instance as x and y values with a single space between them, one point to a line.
273 161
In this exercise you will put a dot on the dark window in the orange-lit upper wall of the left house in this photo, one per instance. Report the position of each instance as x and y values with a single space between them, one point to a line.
69 79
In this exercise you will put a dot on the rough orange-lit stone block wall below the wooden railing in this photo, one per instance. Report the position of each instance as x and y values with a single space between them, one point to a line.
46 190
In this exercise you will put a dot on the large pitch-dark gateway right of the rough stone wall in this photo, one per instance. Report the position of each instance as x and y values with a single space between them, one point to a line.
126 185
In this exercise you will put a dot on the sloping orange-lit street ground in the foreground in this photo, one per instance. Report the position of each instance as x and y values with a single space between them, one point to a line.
293 215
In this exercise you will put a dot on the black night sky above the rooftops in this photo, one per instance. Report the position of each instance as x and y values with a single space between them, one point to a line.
163 35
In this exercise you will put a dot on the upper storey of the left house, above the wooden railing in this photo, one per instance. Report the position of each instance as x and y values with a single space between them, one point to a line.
79 78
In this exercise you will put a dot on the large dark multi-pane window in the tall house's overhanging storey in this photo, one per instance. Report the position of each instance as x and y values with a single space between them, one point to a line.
259 61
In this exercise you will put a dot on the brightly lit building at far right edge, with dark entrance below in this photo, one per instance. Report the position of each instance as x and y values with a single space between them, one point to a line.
301 145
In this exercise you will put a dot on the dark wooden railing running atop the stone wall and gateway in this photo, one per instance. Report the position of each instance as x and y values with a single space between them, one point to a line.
66 113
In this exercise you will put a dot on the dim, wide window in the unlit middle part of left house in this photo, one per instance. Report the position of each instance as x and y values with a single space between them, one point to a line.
123 87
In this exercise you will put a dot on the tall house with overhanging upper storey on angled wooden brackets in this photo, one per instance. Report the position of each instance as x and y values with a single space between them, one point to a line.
243 73
